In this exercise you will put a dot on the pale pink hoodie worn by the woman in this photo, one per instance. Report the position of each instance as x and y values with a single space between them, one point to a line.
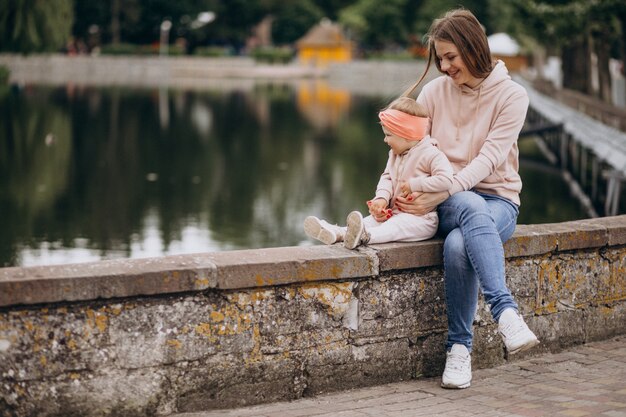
477 129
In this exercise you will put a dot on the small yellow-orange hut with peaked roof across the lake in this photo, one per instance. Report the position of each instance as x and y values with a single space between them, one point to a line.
324 43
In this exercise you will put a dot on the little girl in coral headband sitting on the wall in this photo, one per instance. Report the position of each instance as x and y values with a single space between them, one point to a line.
415 164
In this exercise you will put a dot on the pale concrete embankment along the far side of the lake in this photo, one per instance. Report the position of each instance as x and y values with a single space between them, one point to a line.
361 77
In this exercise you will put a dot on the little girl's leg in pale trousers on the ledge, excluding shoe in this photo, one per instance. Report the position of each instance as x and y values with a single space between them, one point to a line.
402 227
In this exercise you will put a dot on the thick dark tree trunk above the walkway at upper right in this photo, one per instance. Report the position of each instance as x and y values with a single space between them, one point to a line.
576 65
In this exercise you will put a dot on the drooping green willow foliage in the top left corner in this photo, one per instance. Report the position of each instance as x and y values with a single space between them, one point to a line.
35 26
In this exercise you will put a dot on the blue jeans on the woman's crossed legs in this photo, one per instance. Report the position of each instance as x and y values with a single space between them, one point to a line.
475 225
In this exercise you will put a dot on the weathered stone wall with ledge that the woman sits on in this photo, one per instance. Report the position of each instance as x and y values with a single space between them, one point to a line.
217 330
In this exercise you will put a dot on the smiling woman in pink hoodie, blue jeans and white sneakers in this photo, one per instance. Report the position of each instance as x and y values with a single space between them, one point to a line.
476 112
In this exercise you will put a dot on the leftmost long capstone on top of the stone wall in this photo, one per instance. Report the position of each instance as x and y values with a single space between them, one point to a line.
106 279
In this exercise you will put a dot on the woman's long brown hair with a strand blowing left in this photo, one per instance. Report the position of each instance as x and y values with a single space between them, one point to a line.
460 27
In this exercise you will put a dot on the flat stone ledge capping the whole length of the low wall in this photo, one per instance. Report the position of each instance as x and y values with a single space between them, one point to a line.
273 266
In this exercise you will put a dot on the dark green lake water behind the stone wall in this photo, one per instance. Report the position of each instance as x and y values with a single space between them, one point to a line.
101 173
